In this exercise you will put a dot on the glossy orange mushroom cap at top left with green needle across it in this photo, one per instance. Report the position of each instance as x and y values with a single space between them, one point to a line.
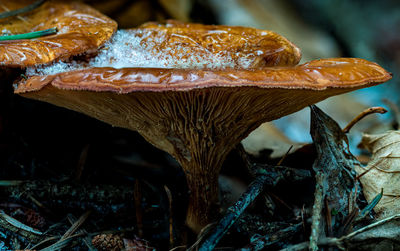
81 29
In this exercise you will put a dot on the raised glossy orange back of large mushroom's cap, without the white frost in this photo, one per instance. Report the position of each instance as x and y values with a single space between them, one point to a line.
246 47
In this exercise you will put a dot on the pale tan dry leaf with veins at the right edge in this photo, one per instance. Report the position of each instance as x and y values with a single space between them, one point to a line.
383 171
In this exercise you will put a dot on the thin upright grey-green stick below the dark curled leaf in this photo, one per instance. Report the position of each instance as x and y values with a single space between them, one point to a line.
316 211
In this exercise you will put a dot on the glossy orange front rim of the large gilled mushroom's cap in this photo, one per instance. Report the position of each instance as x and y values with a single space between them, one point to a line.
321 76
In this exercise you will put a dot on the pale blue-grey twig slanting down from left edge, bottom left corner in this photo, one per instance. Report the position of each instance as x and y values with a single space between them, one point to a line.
16 226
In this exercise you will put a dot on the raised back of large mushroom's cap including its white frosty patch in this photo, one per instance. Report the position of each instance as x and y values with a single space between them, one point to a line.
195 46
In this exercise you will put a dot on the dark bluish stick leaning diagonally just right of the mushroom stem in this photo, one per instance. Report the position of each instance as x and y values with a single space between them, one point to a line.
235 211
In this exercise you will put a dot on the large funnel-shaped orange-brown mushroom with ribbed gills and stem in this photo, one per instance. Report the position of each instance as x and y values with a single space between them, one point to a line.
198 114
